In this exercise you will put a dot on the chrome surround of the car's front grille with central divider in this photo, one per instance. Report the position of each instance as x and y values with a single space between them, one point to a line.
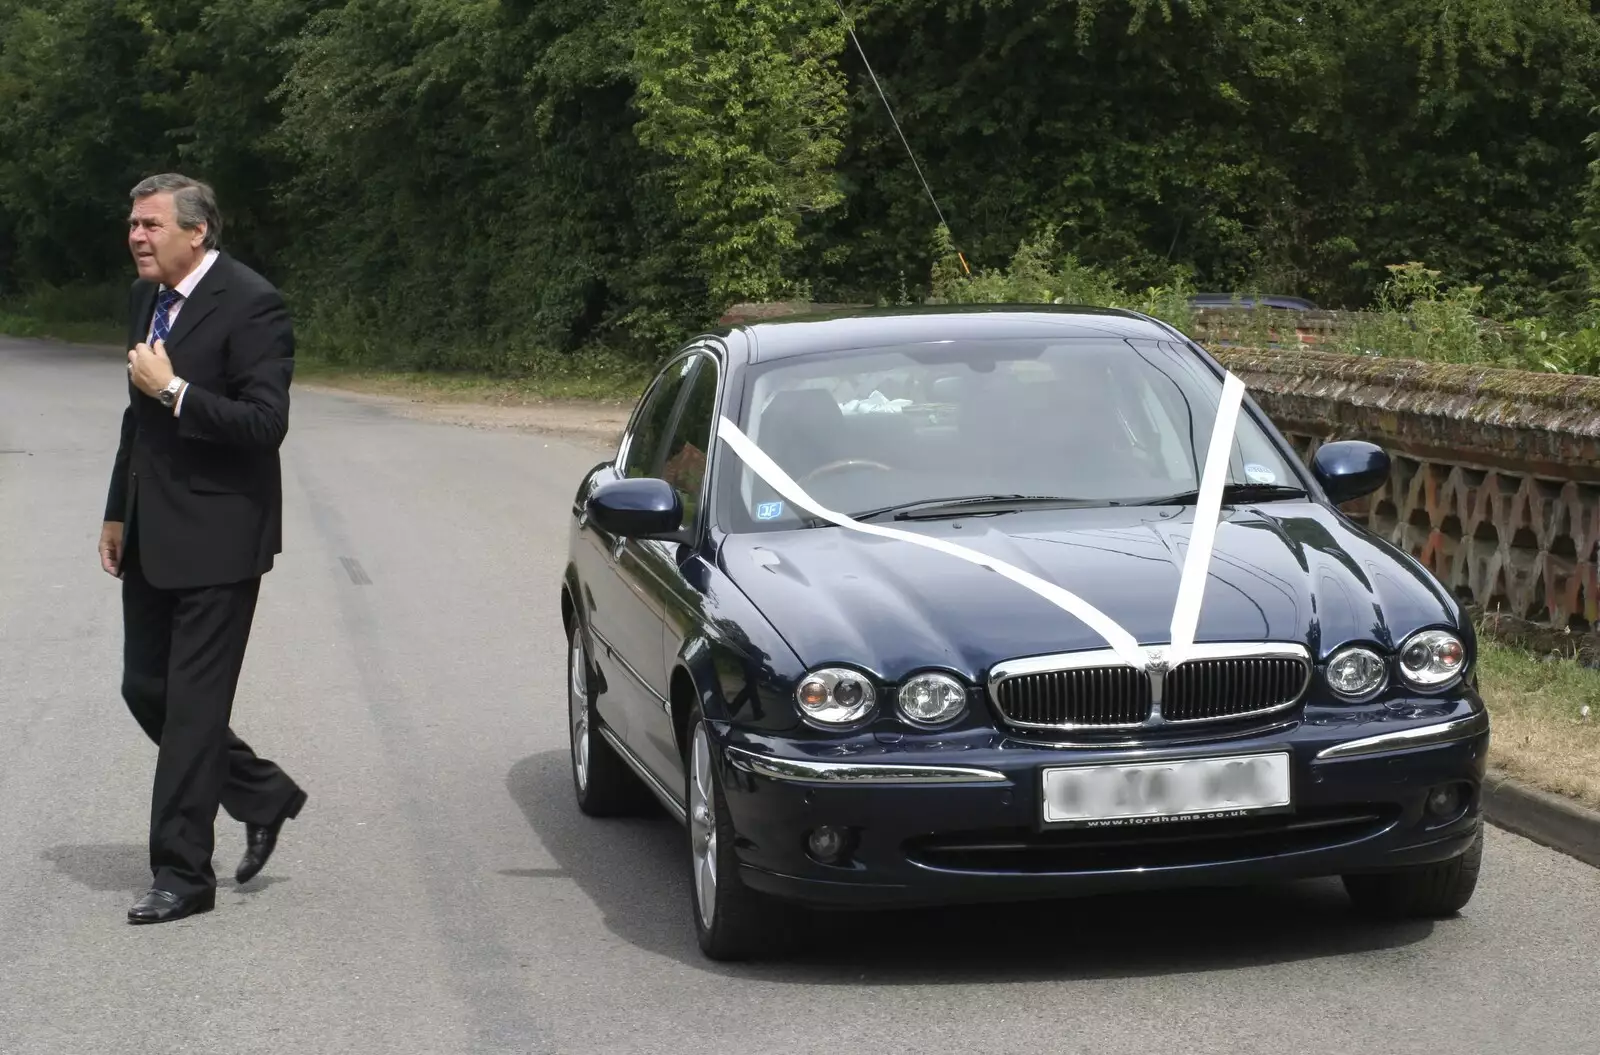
1158 673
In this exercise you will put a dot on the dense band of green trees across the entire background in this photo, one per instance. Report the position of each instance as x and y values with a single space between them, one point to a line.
474 183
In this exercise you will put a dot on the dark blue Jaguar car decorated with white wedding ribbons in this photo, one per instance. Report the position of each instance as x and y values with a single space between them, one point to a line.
927 608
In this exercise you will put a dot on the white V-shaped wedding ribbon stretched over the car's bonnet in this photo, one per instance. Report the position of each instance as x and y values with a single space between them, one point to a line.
1191 585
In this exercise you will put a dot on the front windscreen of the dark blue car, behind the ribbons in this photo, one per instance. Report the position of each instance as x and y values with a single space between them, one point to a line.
1031 422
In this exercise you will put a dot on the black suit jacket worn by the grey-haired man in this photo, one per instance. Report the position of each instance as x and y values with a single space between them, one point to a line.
201 495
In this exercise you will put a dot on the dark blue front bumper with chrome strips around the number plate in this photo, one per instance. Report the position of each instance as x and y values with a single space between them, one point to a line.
959 820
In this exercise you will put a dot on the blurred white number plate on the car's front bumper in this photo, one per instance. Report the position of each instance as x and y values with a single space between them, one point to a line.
1159 793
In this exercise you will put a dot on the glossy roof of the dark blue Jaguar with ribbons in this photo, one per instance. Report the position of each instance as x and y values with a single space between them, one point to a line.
857 329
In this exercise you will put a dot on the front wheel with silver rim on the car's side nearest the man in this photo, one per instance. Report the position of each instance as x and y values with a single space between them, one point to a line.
732 923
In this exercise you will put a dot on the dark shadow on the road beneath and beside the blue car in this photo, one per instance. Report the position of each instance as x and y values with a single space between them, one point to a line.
634 872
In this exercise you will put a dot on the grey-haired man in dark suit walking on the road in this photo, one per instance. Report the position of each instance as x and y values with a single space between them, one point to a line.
193 523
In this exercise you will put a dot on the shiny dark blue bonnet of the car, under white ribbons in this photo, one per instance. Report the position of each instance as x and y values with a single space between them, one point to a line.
1290 571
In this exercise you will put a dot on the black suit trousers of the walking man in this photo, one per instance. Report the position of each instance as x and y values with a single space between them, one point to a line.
183 652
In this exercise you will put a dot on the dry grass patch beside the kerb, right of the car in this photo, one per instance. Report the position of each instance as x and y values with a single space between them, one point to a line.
1543 734
